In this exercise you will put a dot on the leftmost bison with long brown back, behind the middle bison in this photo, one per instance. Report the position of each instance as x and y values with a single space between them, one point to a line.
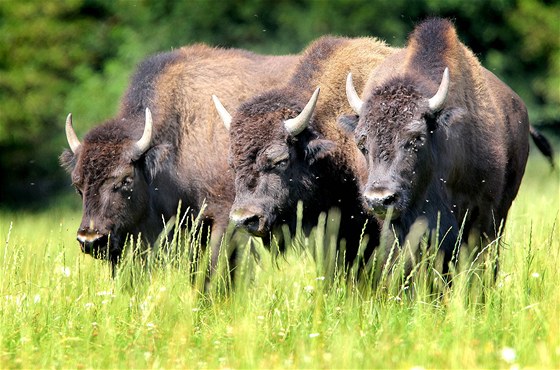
166 145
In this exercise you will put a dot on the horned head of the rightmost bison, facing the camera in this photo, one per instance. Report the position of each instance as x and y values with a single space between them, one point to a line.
396 131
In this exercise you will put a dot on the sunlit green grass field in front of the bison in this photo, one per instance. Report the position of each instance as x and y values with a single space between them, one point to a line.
61 309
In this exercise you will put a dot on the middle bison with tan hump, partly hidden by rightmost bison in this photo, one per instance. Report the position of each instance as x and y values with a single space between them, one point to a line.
286 146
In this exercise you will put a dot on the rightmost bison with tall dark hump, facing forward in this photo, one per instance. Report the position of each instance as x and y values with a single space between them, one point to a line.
441 135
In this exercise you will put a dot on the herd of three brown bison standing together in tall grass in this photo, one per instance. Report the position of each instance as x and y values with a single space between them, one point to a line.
420 135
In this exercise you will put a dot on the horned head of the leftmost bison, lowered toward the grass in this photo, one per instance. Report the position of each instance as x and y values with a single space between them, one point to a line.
108 170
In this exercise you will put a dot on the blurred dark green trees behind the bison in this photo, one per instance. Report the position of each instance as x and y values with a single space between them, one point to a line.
76 56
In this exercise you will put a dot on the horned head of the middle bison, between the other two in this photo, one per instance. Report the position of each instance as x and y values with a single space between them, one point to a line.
273 153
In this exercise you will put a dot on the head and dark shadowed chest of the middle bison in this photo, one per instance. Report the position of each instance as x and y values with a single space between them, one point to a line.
278 165
